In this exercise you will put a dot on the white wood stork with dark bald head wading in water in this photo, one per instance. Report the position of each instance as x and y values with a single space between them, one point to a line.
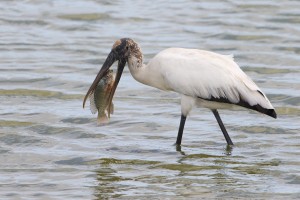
203 78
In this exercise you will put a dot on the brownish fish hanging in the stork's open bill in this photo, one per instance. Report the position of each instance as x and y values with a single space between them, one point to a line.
99 98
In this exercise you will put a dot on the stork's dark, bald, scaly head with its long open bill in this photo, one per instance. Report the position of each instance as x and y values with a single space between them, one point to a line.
122 51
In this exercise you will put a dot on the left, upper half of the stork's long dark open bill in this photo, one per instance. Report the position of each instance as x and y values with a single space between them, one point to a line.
111 58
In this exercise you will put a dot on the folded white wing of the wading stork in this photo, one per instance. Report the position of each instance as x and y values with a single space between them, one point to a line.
209 76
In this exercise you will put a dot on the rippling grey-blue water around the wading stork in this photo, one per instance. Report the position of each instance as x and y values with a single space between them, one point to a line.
51 148
